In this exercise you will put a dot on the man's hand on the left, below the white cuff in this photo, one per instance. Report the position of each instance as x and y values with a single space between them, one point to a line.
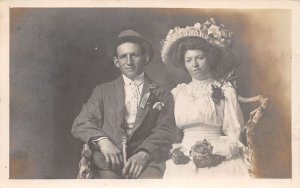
112 154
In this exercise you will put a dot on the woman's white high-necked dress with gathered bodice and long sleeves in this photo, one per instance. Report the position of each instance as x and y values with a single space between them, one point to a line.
200 118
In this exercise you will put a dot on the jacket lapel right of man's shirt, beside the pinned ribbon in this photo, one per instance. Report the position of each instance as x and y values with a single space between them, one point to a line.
142 112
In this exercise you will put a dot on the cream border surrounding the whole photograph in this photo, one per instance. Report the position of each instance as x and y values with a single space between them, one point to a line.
4 92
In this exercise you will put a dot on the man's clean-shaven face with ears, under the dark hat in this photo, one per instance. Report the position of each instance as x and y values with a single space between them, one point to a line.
130 59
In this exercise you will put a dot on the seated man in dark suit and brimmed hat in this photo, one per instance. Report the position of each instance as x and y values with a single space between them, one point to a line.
128 122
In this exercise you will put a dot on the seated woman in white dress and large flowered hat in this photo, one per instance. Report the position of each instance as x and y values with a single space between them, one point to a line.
206 109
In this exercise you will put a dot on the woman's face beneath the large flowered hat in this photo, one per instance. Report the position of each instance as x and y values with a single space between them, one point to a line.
196 64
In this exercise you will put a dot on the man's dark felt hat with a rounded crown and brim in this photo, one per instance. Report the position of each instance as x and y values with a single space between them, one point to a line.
130 36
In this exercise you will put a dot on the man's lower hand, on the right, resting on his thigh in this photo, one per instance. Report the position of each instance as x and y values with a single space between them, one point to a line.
136 164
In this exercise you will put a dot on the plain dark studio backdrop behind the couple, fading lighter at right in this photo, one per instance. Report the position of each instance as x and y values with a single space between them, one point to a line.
57 56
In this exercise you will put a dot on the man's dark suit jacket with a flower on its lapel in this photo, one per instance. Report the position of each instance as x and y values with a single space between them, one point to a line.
103 116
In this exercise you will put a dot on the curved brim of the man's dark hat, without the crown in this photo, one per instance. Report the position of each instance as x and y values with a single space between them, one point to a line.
112 52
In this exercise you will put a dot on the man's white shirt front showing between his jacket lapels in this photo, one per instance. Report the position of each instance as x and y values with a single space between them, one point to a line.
133 90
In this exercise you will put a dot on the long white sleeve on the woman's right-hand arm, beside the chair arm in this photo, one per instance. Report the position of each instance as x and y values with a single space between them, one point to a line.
233 117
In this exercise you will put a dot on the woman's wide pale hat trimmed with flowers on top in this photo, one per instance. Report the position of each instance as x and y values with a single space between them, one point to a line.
216 35
